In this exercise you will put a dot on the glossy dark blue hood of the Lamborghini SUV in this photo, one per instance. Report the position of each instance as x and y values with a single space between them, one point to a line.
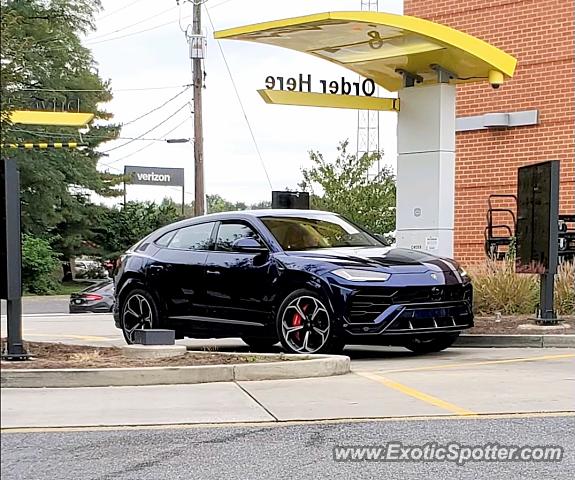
381 258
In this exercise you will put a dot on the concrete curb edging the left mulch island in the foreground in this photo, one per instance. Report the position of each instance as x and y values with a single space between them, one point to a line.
295 367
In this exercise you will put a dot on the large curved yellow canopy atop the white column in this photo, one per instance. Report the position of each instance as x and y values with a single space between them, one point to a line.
375 45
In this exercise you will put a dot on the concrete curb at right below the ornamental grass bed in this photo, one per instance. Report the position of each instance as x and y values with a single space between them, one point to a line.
516 341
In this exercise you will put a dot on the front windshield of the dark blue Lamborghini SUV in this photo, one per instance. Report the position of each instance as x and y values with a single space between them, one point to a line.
325 231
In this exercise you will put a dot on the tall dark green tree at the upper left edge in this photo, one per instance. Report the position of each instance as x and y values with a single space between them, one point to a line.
44 63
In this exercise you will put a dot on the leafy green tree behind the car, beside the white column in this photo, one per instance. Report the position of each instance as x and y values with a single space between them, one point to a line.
347 189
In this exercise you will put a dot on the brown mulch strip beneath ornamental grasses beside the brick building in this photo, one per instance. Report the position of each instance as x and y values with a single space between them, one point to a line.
515 325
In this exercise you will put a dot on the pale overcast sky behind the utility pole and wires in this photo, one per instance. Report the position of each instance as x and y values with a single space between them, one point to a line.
158 57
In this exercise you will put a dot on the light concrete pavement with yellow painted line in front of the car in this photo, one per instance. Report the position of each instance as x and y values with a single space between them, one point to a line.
459 382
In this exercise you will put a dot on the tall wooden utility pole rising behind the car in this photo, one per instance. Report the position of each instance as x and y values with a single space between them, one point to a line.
197 54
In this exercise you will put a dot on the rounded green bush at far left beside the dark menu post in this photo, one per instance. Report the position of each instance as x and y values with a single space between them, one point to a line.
39 262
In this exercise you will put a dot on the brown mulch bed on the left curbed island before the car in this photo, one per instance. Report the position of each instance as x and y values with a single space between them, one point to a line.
58 355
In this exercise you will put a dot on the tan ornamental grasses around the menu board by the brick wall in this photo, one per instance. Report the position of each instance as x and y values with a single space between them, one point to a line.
497 288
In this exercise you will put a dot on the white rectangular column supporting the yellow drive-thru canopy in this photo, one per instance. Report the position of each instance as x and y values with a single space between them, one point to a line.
426 168
